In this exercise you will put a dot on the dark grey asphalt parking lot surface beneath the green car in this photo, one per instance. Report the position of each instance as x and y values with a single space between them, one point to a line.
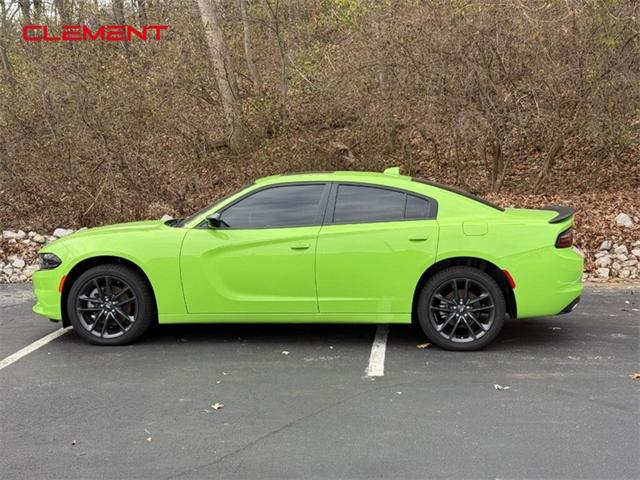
71 410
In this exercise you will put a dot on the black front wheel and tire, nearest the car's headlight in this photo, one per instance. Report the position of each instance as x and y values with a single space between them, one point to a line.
110 305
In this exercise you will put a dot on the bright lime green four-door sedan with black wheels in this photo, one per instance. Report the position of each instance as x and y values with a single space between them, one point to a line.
338 247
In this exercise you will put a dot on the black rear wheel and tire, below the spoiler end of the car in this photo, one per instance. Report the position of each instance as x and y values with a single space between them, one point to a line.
465 318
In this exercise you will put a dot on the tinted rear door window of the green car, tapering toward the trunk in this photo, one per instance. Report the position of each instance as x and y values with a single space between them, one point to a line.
360 204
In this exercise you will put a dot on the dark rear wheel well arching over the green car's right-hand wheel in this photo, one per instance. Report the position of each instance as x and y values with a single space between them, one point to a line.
492 270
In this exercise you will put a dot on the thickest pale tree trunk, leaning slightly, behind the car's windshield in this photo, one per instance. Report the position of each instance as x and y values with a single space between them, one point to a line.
225 74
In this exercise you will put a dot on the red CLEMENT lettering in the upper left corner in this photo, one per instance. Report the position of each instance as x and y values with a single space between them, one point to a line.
82 33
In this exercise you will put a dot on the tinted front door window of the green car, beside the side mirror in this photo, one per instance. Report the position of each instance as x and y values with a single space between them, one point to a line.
284 206
